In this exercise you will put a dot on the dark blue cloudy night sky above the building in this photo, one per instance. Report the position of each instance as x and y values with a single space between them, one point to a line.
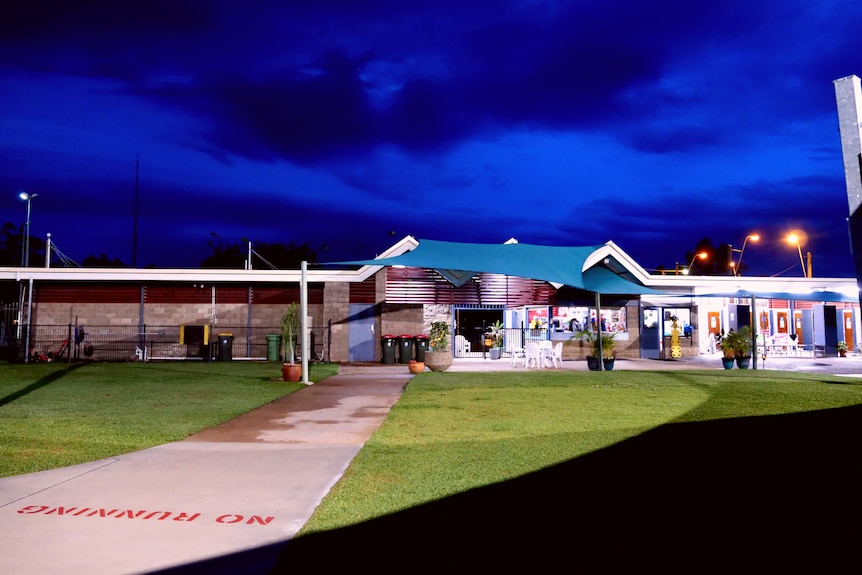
336 123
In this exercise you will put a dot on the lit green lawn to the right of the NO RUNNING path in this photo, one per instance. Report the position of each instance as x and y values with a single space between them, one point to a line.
451 432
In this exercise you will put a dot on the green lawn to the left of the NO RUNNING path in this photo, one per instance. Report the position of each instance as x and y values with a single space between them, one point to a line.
53 415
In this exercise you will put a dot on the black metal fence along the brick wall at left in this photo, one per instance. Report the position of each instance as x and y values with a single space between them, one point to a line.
48 343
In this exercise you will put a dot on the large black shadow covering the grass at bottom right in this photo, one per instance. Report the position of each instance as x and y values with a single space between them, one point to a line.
757 493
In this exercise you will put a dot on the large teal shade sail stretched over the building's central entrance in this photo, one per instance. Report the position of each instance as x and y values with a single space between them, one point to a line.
458 262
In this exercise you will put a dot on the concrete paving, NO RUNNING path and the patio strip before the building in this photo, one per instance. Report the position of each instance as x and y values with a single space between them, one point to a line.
238 491
